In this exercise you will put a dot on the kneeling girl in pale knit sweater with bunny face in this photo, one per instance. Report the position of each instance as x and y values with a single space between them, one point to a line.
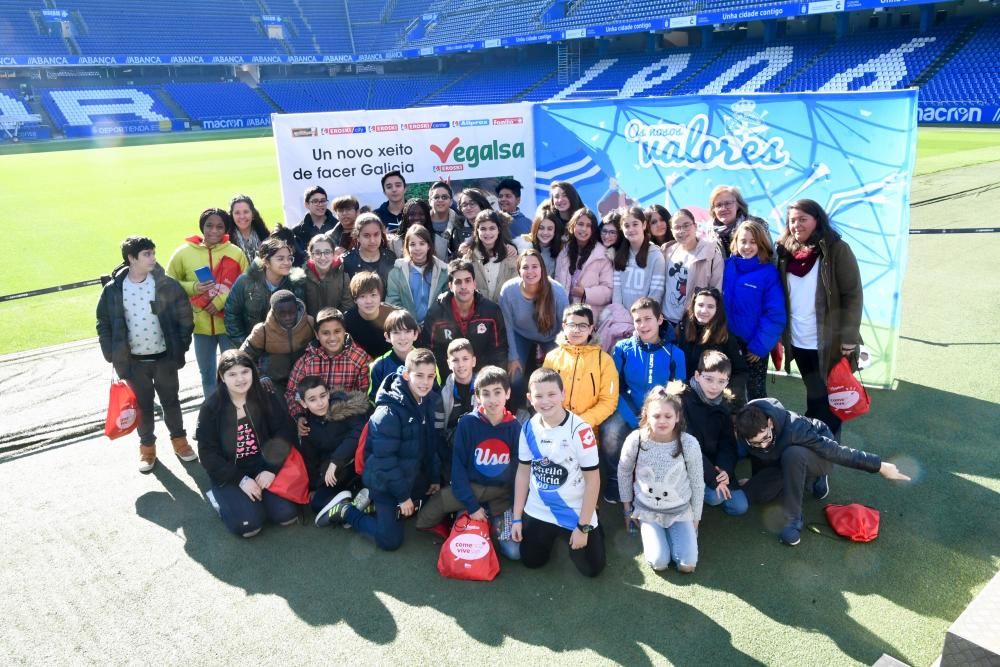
661 482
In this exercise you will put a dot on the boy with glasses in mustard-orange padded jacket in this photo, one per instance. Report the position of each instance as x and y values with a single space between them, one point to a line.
588 372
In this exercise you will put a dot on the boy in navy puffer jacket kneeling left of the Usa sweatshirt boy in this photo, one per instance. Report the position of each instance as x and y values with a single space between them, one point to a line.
401 462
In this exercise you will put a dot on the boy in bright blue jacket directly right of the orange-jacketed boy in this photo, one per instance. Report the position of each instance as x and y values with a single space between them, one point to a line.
643 361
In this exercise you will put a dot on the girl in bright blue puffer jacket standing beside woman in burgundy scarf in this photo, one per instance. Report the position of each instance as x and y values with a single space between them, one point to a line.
755 301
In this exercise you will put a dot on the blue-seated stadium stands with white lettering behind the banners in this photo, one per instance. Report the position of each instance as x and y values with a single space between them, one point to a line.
953 61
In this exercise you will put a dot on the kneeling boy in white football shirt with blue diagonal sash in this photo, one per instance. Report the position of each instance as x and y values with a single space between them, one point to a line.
558 481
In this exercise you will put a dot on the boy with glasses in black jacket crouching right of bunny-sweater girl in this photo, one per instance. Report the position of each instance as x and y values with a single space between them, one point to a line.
709 419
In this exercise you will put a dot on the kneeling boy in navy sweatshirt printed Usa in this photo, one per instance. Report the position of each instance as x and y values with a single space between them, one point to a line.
482 467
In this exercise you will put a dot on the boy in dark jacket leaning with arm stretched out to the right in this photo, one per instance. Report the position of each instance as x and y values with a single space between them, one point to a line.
787 448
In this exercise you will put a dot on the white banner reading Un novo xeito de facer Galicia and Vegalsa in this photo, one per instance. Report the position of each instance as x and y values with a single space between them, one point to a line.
348 152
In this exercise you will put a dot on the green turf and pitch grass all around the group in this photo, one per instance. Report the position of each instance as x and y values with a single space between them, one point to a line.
105 565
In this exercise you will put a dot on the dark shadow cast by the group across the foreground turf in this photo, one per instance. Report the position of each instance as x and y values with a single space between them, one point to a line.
932 551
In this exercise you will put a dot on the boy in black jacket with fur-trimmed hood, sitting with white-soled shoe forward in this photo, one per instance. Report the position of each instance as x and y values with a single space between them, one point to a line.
335 421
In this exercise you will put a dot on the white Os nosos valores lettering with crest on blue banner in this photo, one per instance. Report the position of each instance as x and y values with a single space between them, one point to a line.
667 144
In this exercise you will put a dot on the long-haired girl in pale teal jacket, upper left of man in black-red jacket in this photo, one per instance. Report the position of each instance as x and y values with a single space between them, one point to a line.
418 276
